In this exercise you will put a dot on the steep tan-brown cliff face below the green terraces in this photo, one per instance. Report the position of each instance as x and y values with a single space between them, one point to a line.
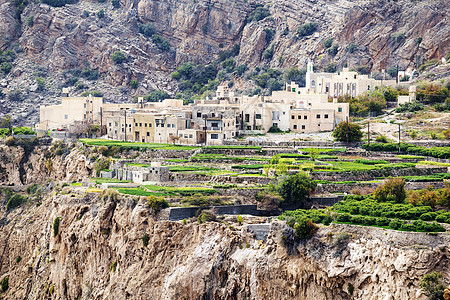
98 253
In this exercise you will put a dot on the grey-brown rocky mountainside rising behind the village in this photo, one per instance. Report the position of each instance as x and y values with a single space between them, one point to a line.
72 45
